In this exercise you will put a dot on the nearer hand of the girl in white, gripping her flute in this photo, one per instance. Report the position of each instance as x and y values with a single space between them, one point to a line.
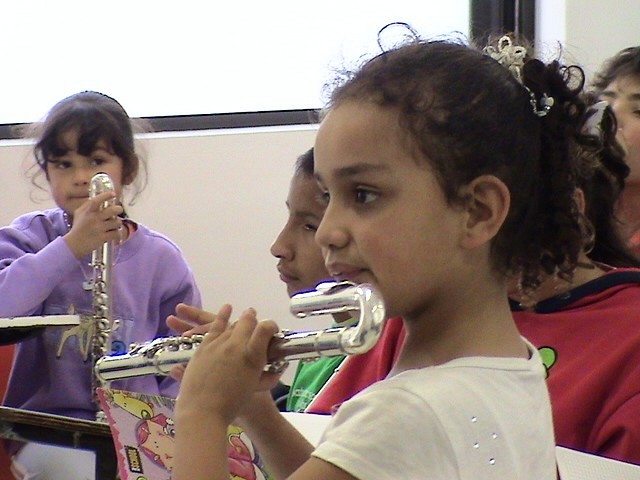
228 367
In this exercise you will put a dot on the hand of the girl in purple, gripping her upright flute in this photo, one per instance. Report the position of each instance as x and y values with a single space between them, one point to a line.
94 225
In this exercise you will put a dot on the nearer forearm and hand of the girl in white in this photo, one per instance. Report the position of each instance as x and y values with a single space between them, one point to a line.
225 371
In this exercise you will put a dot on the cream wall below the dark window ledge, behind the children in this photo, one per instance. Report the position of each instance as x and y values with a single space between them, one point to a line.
219 195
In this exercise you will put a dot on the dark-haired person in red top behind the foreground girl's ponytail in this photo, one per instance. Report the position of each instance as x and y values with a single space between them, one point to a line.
587 331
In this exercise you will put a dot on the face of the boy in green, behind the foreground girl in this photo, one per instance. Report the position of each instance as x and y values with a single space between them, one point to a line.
300 264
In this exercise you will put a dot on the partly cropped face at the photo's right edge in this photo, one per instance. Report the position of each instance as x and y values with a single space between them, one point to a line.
623 95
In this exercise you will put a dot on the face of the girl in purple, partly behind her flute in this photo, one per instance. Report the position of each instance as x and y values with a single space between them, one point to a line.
70 175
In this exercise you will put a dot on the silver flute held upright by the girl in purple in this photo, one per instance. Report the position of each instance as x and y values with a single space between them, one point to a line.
102 262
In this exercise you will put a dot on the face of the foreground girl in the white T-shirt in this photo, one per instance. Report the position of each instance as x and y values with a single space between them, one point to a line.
387 221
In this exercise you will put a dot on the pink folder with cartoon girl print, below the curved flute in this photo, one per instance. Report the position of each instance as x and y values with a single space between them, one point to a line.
143 433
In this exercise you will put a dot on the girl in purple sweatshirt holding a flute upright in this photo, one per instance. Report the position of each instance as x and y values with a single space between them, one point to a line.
45 270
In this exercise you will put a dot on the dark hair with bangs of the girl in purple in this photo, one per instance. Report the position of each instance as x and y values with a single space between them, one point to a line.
96 117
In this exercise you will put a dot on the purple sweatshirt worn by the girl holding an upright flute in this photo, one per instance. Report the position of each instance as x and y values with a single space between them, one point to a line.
40 276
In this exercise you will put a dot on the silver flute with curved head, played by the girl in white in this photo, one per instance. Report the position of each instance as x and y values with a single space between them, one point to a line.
159 356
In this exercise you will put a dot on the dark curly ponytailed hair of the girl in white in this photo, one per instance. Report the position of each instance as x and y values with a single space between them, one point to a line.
468 116
